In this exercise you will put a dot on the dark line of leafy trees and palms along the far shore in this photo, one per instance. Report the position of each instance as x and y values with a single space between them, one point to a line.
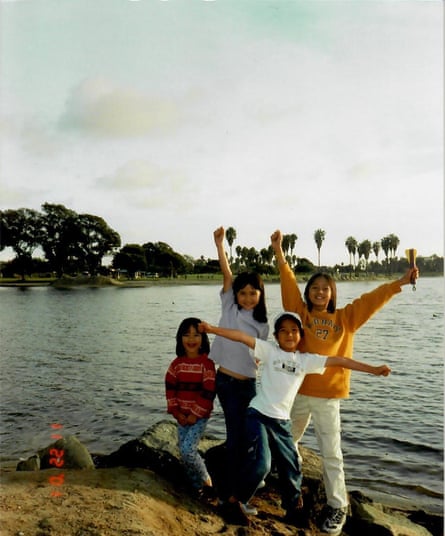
75 243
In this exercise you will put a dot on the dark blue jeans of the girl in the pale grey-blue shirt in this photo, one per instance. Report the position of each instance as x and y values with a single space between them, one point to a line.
234 396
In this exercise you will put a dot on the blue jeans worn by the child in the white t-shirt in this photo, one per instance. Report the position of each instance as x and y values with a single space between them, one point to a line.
269 438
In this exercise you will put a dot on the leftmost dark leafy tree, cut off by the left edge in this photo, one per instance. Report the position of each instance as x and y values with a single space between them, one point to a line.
21 231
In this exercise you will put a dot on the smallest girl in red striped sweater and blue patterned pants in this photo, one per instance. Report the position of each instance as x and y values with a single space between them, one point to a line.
190 391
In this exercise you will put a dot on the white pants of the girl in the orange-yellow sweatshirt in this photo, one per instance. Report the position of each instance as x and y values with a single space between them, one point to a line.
325 413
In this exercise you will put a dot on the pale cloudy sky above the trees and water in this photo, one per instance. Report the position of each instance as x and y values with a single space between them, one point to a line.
170 118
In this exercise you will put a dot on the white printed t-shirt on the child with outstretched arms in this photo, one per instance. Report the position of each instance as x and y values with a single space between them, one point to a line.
281 377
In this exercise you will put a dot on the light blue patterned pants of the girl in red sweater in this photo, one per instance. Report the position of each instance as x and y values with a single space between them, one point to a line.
188 440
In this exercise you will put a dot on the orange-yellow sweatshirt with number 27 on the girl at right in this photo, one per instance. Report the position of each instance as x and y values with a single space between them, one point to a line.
331 334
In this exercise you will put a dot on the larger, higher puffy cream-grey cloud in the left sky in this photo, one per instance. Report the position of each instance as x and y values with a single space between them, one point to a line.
100 108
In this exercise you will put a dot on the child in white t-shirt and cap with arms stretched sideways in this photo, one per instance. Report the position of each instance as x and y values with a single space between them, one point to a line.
268 424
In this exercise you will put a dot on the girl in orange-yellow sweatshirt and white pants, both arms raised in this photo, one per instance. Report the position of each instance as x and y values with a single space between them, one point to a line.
328 331
